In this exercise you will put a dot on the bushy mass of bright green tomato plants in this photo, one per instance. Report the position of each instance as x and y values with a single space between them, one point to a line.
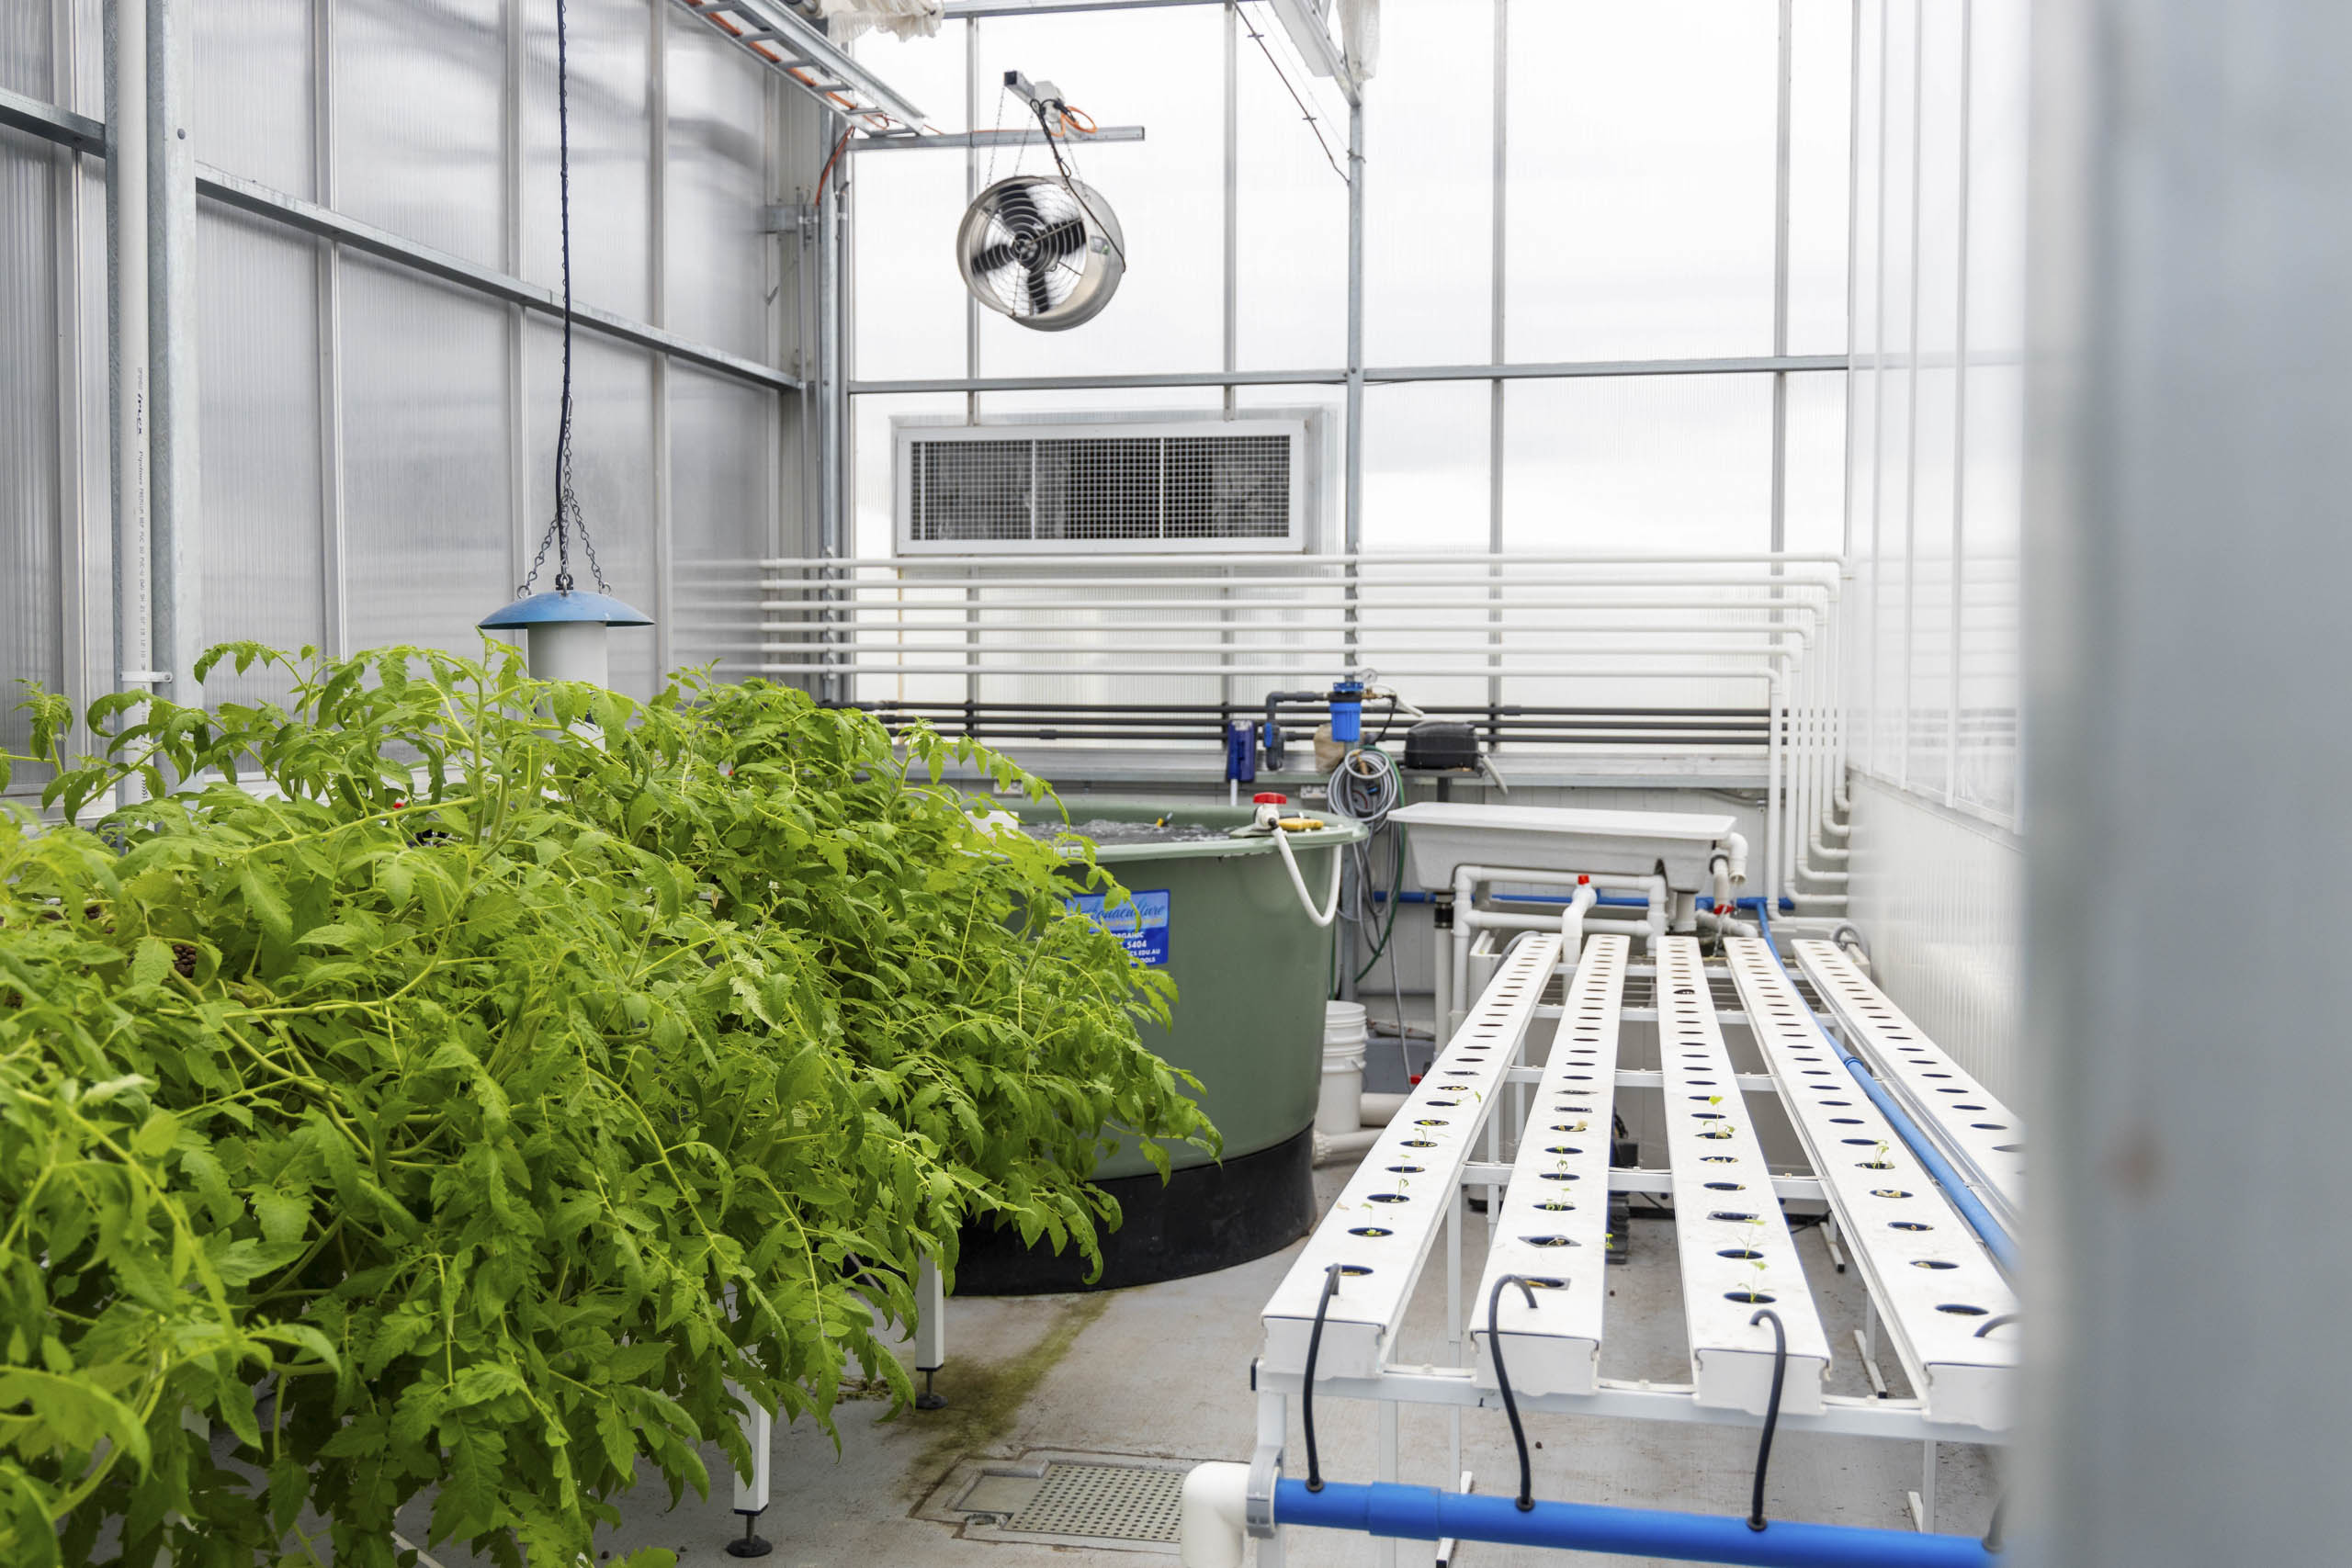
453 1083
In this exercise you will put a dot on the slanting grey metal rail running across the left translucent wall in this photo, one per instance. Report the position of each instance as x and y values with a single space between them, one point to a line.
250 196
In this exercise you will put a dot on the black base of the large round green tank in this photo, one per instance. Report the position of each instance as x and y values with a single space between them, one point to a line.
1205 1219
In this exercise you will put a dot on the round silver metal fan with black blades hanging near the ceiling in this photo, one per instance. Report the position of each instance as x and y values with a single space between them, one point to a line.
1043 250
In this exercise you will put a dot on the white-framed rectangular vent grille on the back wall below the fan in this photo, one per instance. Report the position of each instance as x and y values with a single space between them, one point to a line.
1229 485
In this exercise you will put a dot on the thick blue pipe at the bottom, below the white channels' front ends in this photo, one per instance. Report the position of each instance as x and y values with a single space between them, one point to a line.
1424 1513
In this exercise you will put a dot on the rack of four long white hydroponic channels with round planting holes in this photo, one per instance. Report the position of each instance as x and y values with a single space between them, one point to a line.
1963 1383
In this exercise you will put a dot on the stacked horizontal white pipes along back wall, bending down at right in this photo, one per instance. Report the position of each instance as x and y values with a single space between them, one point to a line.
1579 629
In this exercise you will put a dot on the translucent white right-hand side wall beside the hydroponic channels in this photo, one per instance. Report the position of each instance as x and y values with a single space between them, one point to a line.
1937 492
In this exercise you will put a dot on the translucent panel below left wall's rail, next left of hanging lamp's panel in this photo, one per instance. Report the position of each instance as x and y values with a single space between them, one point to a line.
432 542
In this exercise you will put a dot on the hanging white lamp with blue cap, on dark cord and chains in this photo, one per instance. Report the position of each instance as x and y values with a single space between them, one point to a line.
566 629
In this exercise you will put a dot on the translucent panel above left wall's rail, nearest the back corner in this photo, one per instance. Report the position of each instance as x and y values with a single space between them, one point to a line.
716 257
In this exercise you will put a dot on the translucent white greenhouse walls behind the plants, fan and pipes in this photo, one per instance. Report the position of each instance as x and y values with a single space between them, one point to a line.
1702 340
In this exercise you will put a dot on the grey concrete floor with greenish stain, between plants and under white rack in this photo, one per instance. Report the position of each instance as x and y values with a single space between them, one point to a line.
1163 1372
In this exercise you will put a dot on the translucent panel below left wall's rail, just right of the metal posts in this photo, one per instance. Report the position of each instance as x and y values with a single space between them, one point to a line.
265 532
